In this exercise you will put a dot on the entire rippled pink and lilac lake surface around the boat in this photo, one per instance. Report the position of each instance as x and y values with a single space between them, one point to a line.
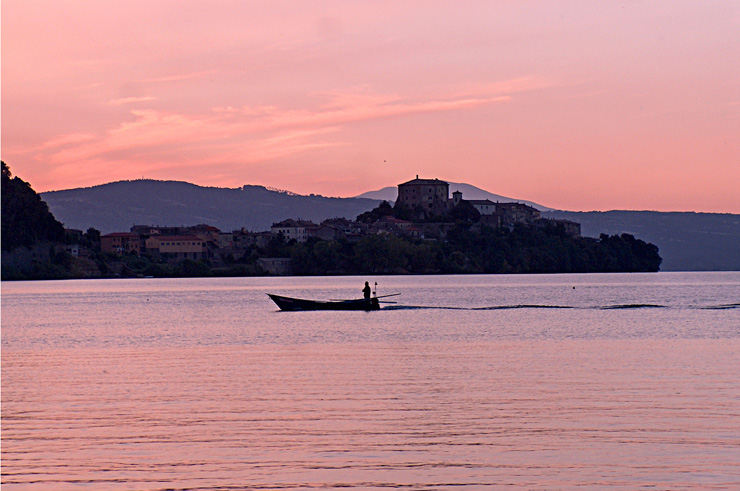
621 381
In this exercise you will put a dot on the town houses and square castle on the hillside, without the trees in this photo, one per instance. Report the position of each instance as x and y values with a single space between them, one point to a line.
425 197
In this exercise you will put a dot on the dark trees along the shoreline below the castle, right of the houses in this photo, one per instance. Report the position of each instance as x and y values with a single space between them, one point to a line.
525 249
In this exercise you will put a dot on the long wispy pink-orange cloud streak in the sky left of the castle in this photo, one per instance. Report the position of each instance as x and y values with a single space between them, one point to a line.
250 130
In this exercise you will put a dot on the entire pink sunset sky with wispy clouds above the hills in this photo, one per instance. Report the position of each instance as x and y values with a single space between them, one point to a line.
576 105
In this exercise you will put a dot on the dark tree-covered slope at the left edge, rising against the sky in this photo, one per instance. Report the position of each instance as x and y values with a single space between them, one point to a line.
26 219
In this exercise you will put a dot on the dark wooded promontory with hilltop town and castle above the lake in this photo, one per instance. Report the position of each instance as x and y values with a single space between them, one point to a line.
428 230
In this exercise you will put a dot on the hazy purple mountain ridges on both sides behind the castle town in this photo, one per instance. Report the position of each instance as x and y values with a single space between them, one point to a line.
687 241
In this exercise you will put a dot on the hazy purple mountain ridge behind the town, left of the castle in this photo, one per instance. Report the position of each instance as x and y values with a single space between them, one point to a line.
116 206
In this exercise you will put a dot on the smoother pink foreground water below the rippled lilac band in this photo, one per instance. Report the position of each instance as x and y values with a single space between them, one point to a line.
544 415
